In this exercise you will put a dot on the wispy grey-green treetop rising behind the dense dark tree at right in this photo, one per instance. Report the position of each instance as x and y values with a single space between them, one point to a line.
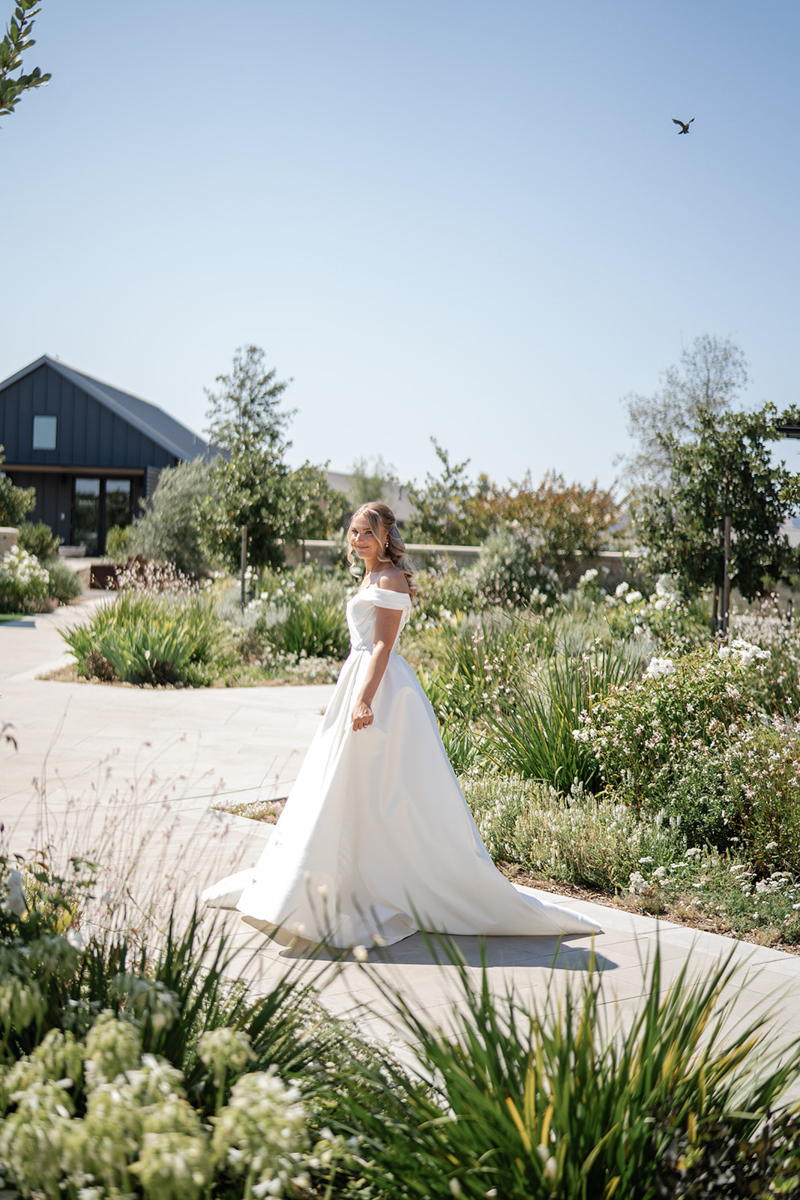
709 379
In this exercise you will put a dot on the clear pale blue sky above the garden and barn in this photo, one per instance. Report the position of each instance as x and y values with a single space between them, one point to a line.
470 220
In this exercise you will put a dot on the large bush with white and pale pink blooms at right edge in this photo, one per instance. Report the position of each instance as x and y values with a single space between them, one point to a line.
691 739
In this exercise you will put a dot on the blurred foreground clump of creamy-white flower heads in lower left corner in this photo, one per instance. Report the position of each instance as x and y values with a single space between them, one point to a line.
121 1058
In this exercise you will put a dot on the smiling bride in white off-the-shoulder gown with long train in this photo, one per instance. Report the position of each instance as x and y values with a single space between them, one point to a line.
376 839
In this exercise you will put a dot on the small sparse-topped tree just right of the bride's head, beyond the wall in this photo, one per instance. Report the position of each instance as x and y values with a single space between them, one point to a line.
444 507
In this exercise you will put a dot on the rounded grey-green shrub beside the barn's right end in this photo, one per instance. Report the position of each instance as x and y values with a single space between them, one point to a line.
171 529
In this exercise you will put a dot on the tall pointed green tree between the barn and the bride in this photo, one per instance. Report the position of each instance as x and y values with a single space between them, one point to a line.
252 484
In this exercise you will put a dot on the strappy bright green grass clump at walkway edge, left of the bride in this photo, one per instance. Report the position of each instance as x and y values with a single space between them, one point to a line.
148 639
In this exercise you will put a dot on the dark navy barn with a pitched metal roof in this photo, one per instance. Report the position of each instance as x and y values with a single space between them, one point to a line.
91 451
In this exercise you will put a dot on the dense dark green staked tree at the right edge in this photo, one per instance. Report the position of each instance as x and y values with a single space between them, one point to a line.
726 470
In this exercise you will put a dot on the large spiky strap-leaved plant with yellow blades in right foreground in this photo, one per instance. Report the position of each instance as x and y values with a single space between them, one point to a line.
560 1101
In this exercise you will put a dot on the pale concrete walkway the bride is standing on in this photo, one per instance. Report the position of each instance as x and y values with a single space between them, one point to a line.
136 776
